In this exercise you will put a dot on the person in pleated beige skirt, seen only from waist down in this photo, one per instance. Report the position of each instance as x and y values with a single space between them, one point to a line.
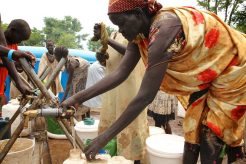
163 109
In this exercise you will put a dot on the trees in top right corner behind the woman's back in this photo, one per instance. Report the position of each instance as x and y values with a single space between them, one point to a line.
233 11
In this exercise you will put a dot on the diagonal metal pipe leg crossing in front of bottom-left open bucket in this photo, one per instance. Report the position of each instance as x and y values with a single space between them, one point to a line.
11 141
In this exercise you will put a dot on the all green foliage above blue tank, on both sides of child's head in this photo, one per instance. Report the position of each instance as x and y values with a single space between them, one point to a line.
64 32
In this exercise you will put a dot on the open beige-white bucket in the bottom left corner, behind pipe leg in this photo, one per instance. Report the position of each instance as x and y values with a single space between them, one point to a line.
20 153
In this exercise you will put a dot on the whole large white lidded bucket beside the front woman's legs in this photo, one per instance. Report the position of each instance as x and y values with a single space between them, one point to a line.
165 148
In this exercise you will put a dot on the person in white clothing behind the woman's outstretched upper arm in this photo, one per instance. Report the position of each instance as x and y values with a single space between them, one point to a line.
96 72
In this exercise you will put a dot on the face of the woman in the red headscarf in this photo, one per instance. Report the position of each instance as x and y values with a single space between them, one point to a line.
130 25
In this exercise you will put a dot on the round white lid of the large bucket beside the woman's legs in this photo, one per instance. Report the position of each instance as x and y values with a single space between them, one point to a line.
165 144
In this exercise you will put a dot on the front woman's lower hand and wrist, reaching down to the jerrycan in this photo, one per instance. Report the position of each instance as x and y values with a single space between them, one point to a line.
98 143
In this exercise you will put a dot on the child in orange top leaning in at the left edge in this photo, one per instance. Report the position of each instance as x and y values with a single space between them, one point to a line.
17 31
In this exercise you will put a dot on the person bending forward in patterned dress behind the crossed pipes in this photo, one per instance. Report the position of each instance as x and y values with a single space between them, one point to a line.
77 69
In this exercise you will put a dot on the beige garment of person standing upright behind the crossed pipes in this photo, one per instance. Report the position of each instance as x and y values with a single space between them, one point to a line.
56 86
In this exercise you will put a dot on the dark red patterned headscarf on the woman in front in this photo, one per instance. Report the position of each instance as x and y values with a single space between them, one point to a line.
118 6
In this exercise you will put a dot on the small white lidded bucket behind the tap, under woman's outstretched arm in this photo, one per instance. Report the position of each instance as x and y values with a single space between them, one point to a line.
86 131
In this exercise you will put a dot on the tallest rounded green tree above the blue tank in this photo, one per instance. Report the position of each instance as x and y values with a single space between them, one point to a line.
64 32
